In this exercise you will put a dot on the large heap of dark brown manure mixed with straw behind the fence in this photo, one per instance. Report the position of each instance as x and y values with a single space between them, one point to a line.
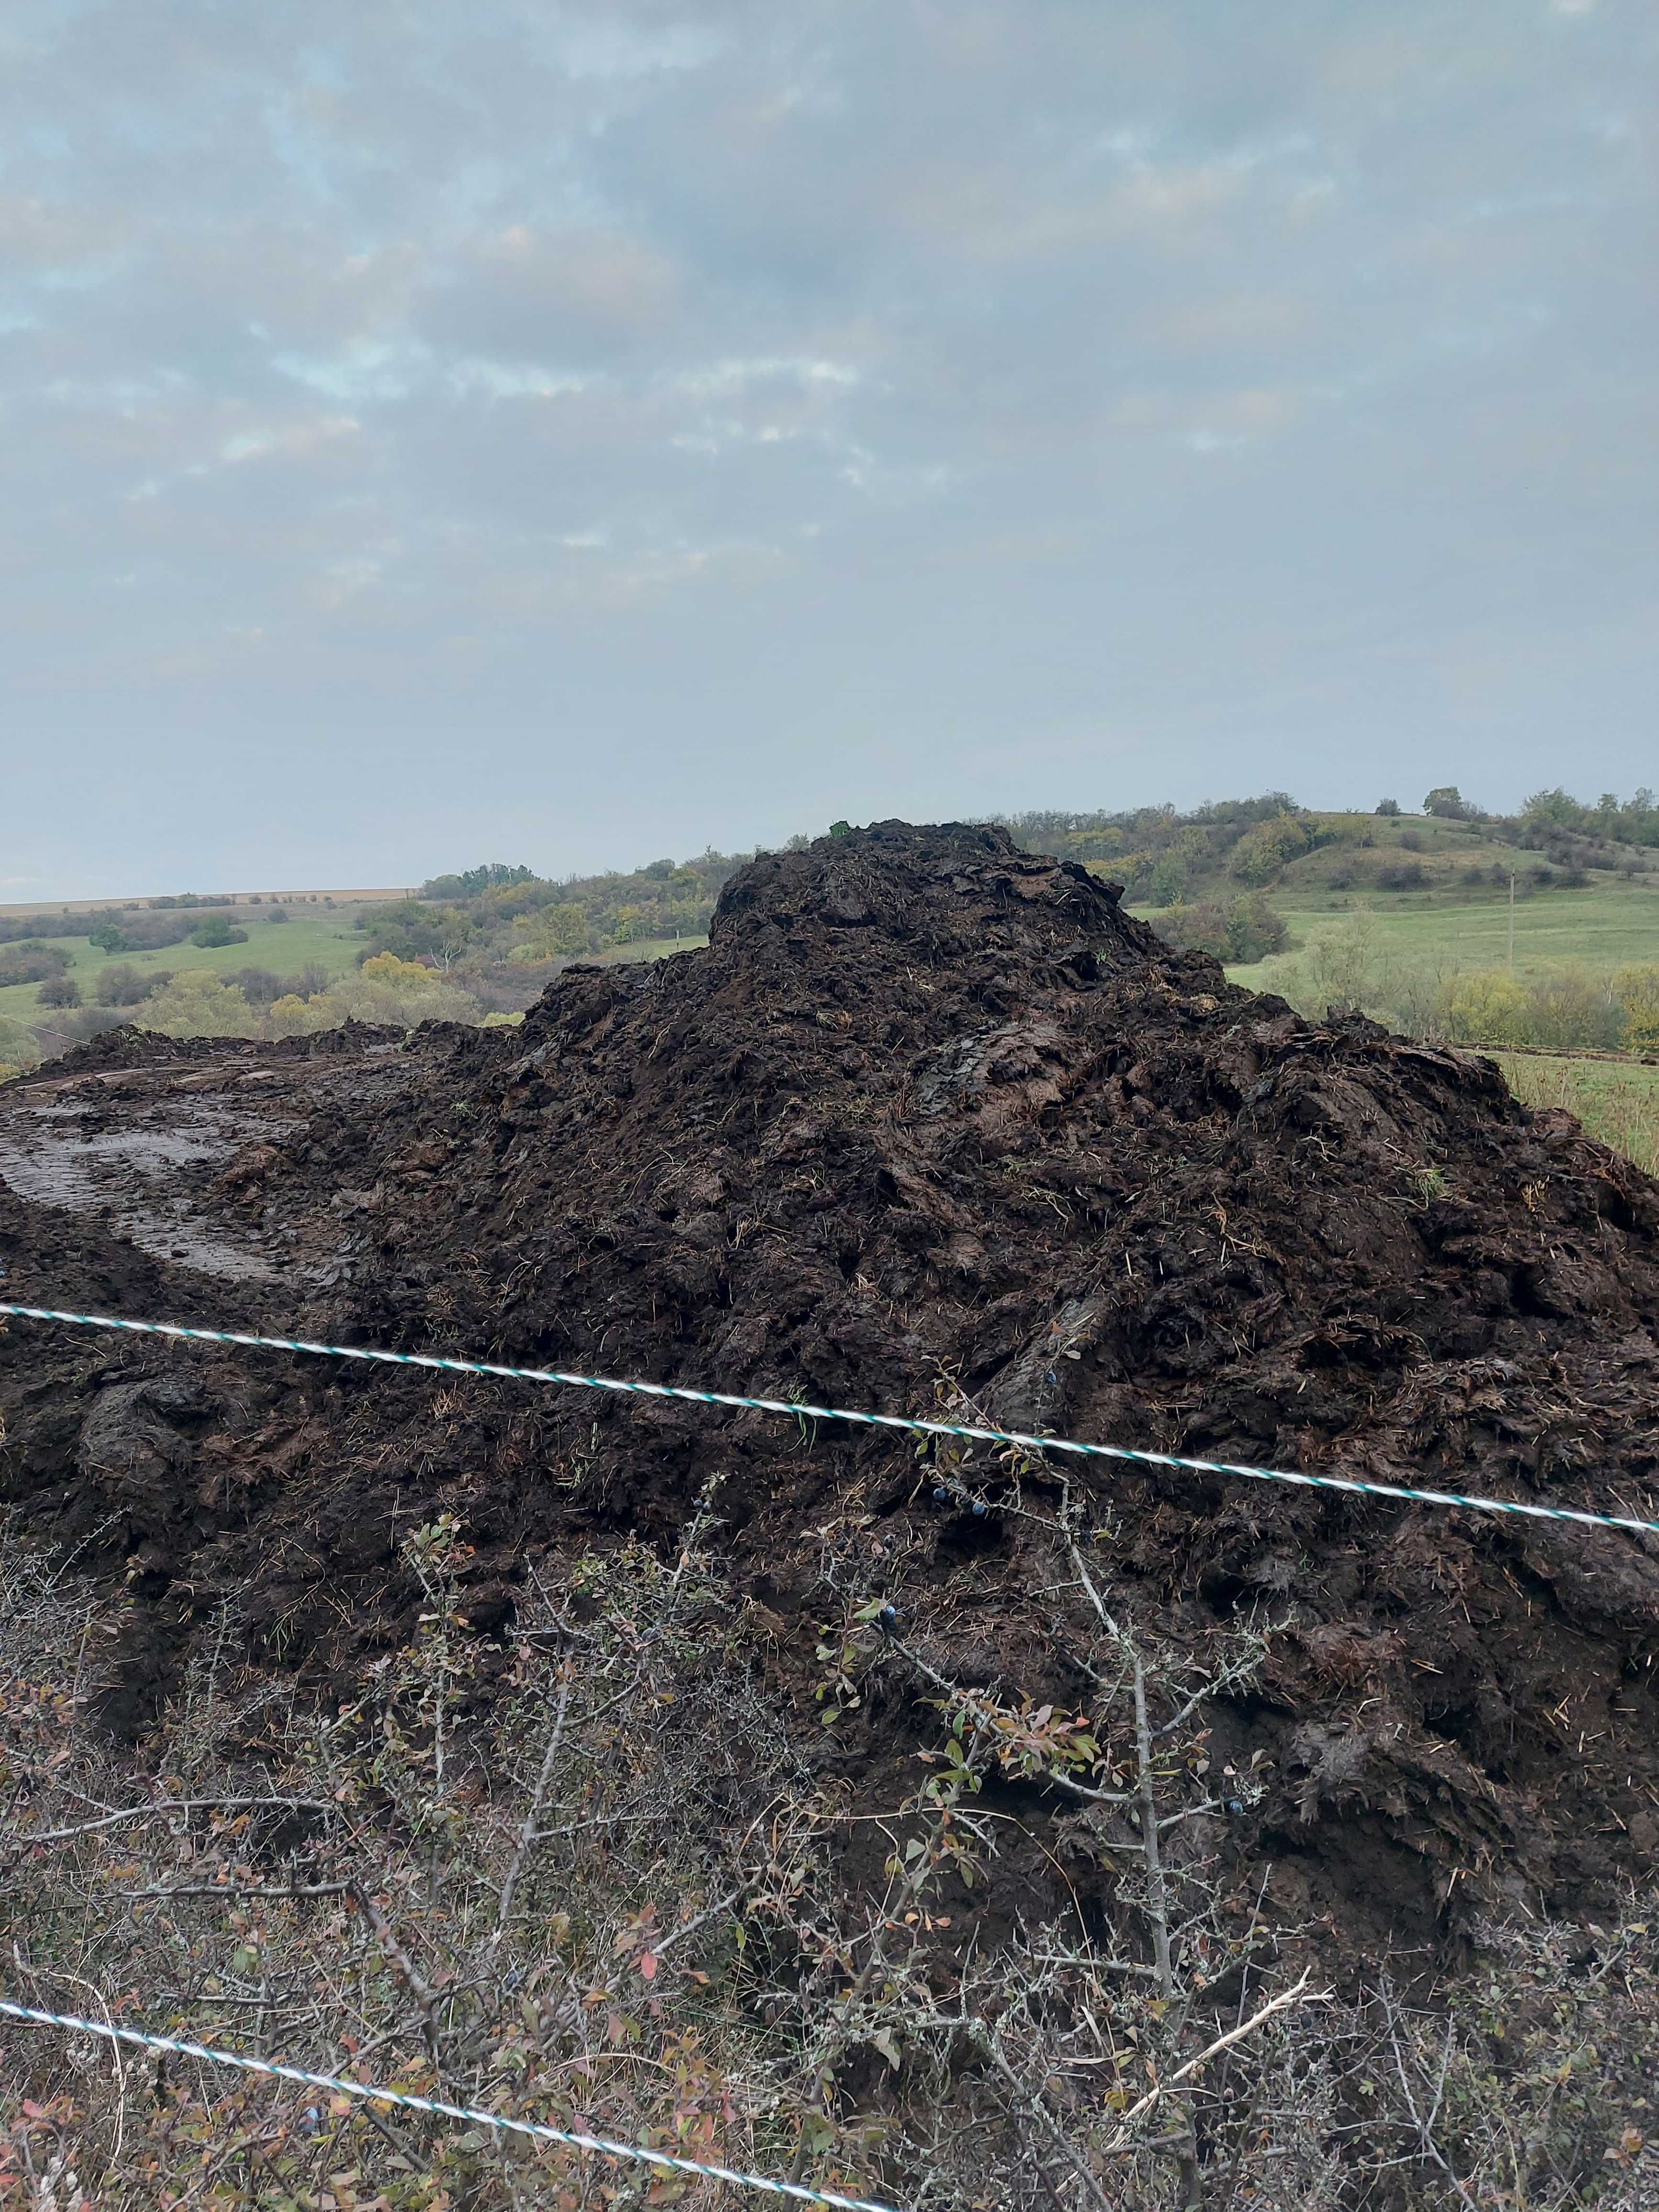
935 1114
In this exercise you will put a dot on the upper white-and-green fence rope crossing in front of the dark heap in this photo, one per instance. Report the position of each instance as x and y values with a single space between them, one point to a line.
800 1410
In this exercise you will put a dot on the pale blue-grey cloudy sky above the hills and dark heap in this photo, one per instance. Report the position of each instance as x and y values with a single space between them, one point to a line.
574 435
